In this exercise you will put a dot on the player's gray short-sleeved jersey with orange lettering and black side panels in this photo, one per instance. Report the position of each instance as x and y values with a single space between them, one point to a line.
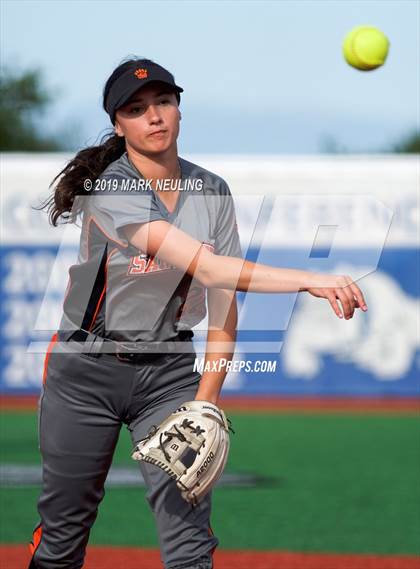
118 291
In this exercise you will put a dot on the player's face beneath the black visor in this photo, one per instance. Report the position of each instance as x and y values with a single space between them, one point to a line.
150 120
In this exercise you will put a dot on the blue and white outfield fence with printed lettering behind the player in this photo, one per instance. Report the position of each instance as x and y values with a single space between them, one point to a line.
312 351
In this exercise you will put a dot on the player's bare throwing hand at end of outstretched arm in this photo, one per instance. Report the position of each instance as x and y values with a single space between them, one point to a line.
341 292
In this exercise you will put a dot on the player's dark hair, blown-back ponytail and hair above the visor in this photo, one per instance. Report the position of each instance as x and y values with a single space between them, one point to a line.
88 163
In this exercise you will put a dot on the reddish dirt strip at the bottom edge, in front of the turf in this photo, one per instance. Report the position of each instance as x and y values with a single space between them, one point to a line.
17 557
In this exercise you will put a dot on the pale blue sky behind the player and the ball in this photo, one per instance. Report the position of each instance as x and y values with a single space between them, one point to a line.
259 77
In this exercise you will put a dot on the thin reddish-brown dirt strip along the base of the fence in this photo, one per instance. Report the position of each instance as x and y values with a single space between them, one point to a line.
384 405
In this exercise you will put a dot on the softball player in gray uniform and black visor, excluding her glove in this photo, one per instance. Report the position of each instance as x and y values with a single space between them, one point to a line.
123 353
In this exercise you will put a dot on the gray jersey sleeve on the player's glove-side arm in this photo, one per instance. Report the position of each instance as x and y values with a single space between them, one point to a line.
226 233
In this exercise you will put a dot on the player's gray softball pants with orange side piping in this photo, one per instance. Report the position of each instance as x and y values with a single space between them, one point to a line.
85 401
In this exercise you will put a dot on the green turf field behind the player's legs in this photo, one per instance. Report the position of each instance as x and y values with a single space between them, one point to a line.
335 483
